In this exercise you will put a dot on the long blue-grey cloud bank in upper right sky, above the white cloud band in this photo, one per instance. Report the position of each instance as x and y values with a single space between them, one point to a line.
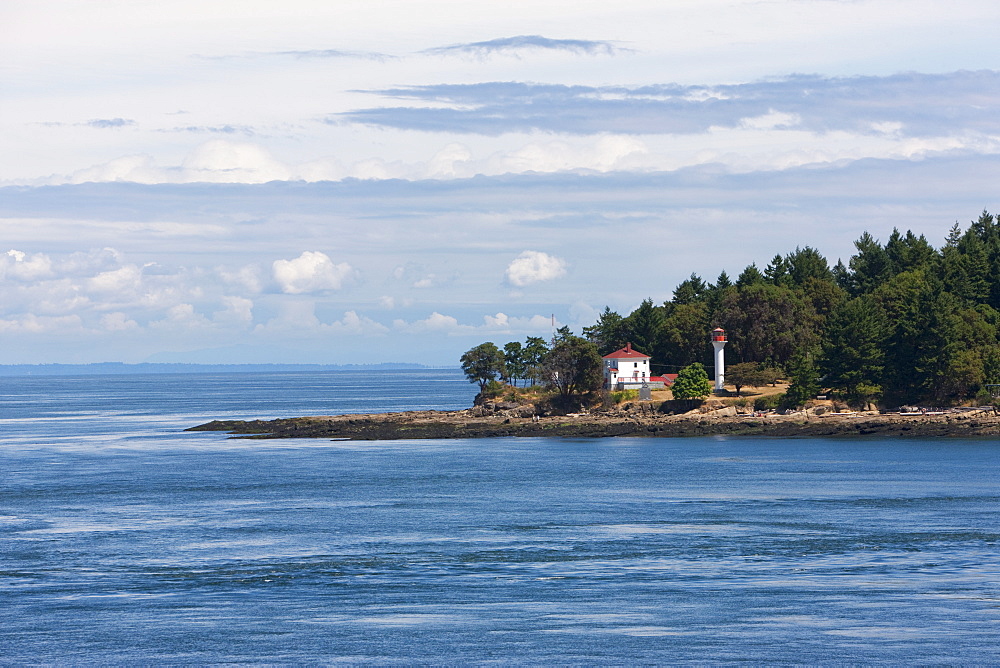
916 105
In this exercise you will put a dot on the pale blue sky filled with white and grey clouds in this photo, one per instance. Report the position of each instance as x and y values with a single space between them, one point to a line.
347 182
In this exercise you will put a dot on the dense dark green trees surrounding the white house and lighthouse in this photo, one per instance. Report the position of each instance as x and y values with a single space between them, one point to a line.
900 323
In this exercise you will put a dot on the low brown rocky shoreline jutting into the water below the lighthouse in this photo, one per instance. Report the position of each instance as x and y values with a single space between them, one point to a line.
480 423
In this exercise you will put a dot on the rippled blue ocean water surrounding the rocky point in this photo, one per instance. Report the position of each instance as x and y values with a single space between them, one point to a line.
125 540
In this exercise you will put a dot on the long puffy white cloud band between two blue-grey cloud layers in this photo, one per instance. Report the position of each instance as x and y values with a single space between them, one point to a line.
775 140
